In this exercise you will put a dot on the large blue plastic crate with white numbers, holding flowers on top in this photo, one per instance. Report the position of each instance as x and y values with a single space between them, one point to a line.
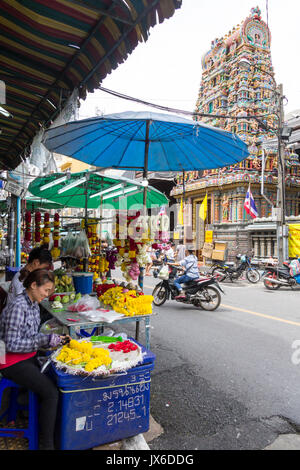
96 411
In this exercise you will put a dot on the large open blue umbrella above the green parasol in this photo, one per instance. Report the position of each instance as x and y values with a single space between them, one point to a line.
145 140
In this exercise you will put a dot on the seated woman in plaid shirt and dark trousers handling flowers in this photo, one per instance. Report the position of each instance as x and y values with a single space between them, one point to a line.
19 323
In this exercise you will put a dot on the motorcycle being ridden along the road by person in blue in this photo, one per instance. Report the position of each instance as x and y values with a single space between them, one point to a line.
203 293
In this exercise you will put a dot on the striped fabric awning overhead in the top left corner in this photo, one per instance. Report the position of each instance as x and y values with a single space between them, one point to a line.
49 48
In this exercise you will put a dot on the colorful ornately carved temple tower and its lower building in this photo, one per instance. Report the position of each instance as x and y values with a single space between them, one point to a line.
238 85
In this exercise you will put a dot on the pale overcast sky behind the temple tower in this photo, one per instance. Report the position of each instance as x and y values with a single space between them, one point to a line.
167 68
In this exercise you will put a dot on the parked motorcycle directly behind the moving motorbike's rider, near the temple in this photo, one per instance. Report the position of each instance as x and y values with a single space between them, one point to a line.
223 271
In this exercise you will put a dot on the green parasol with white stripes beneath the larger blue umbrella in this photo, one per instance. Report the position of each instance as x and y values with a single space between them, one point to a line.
112 191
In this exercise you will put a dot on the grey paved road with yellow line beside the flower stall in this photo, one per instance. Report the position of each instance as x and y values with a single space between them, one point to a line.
226 379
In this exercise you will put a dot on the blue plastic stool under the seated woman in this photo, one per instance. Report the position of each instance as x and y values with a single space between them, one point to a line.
31 432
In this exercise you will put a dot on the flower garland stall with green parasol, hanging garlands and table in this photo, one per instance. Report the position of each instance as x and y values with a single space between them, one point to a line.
87 266
